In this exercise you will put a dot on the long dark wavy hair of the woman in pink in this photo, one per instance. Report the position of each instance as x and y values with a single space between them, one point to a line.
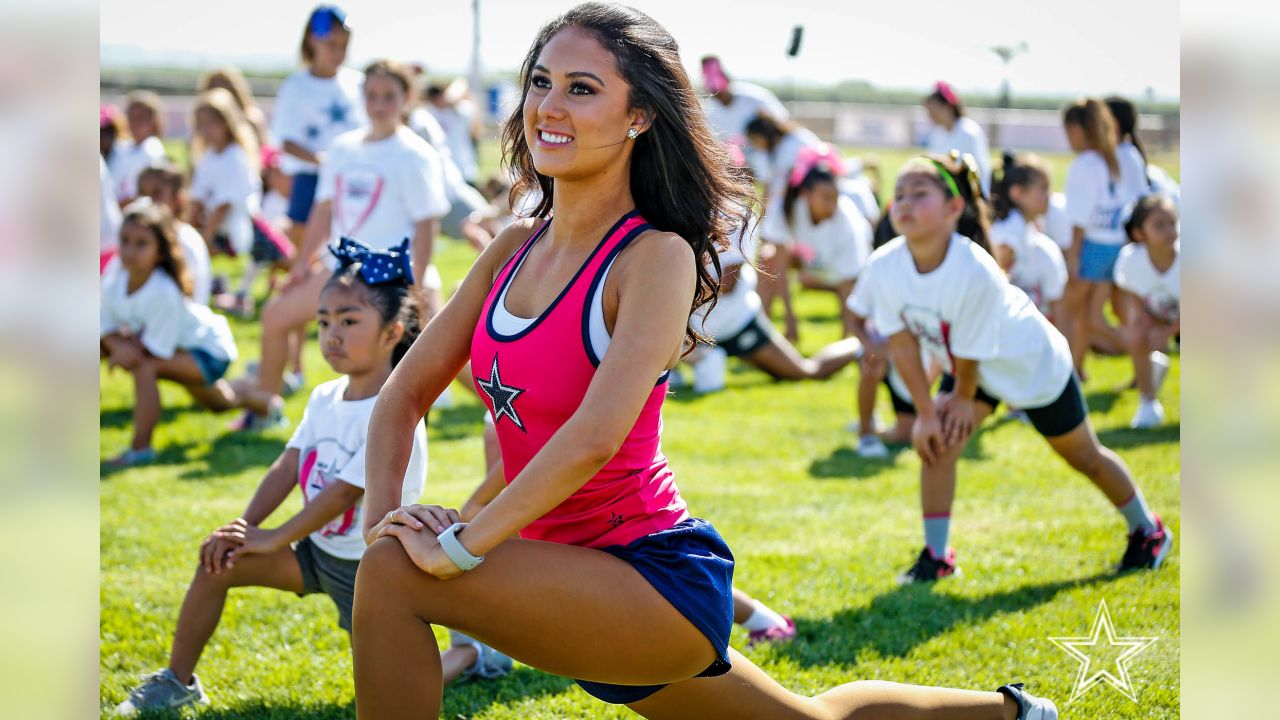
682 176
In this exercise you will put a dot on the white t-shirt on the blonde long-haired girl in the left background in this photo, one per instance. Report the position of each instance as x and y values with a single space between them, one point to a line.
228 179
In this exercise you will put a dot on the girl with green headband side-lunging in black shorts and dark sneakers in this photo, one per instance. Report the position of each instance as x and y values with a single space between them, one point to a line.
938 288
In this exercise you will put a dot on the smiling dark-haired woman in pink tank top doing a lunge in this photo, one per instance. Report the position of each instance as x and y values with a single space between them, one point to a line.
572 325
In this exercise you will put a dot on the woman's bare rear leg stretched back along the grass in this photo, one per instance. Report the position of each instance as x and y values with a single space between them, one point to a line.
748 694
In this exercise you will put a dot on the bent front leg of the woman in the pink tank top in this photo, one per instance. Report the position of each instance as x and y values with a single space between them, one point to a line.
593 617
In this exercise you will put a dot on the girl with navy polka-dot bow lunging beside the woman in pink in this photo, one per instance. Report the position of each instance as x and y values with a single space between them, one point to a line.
371 313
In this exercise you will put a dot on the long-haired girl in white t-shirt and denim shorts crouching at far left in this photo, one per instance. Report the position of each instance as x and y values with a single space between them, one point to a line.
152 329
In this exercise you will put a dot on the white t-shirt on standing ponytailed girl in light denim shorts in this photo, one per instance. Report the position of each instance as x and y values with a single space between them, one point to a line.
1095 202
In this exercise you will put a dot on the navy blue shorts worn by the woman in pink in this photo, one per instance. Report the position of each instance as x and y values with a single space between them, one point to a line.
693 568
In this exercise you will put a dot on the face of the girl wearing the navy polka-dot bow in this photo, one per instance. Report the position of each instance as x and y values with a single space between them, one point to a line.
354 339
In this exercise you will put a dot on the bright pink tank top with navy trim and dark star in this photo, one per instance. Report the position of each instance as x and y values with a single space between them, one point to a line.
534 381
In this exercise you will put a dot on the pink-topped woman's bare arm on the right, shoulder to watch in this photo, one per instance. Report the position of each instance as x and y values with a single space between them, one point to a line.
656 290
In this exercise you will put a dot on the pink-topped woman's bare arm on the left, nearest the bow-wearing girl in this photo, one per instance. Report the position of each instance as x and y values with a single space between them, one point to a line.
422 376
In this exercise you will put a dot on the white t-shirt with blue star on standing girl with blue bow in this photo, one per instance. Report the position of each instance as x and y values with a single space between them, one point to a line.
313 112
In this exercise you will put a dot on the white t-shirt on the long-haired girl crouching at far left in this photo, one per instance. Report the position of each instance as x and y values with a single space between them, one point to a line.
163 318
